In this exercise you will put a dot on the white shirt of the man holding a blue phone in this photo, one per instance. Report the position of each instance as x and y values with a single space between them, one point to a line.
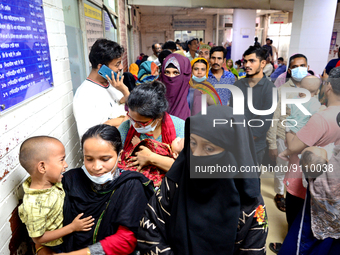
93 104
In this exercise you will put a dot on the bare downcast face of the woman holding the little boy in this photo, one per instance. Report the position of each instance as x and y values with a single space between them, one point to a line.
99 156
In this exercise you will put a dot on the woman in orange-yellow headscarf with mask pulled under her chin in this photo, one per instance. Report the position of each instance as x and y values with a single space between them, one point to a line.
199 85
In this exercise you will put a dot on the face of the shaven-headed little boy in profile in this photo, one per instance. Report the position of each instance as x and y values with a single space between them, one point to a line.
55 165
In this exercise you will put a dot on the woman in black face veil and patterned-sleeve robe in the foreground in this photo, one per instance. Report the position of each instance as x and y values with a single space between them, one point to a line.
206 205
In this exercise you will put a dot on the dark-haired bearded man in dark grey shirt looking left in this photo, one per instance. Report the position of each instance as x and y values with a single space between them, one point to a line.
262 90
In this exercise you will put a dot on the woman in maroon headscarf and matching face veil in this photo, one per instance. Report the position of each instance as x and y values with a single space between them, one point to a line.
176 73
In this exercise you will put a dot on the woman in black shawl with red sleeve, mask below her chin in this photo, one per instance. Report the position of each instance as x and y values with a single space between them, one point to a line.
116 199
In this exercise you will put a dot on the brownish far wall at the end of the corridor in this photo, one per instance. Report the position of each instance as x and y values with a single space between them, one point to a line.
162 24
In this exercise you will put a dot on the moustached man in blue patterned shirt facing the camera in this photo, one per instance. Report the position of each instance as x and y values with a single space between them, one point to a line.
217 75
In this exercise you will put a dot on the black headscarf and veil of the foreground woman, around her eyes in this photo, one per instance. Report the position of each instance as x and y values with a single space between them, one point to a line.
205 212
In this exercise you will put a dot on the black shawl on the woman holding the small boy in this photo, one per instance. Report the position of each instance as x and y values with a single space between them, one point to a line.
124 207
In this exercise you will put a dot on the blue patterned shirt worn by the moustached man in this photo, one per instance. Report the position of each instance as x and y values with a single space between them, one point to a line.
226 78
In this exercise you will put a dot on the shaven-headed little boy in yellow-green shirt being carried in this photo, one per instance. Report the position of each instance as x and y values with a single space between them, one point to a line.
43 157
